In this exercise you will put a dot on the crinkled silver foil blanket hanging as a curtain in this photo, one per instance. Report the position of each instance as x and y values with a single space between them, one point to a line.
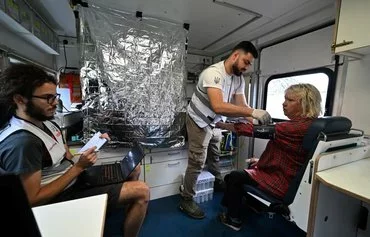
132 77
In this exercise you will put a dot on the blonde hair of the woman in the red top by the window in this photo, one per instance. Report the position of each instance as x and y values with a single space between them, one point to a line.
310 98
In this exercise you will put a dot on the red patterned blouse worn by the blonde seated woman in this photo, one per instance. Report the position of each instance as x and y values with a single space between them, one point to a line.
282 157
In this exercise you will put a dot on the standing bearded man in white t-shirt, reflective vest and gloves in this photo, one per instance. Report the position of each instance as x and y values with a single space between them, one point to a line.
219 94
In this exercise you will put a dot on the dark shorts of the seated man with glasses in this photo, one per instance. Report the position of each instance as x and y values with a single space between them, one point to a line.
79 190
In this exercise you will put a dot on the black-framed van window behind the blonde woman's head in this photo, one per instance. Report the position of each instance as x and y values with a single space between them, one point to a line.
275 87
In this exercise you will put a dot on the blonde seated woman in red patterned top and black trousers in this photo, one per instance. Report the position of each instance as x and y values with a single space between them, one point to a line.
282 157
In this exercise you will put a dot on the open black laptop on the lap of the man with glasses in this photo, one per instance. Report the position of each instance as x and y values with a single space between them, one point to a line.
114 173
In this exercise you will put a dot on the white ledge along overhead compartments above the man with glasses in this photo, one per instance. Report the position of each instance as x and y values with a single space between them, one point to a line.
17 28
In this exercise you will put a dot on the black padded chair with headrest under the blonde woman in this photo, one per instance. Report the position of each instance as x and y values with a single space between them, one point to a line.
322 129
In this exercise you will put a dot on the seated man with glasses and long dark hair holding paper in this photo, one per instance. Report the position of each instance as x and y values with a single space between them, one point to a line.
32 147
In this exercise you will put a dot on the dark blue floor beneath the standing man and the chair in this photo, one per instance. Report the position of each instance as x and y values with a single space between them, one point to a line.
165 219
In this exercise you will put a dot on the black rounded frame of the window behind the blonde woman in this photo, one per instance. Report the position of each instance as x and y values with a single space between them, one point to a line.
329 104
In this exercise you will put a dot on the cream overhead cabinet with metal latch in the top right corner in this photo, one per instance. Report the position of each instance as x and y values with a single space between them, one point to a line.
352 28
